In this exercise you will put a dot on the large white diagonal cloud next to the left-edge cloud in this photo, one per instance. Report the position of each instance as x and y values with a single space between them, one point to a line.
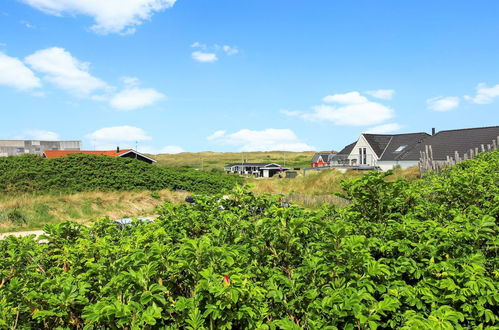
65 71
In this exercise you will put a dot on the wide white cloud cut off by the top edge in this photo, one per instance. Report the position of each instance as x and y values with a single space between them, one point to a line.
110 16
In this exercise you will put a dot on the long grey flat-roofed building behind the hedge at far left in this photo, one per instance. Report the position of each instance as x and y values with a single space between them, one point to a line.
36 147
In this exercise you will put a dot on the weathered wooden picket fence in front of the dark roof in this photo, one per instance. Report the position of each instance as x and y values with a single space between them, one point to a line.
427 163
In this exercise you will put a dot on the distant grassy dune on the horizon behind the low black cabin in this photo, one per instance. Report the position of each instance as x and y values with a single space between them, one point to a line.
216 160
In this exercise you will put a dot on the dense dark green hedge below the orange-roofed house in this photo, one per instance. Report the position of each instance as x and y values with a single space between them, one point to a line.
79 172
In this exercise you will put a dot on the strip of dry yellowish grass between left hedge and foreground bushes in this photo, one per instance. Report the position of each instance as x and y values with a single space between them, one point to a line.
29 212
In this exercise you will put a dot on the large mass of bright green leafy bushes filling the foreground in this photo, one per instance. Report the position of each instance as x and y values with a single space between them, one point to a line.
420 255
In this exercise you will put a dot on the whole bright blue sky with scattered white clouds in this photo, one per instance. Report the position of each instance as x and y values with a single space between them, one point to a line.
227 75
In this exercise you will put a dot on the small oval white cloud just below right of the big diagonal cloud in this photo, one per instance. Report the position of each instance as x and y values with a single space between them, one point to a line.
132 98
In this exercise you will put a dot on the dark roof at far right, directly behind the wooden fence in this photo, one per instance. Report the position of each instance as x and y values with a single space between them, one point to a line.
445 143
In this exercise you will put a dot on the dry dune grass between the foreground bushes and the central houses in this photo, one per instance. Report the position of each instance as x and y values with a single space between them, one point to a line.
317 188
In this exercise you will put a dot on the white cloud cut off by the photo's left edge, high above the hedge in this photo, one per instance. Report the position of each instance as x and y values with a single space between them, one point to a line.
15 74
